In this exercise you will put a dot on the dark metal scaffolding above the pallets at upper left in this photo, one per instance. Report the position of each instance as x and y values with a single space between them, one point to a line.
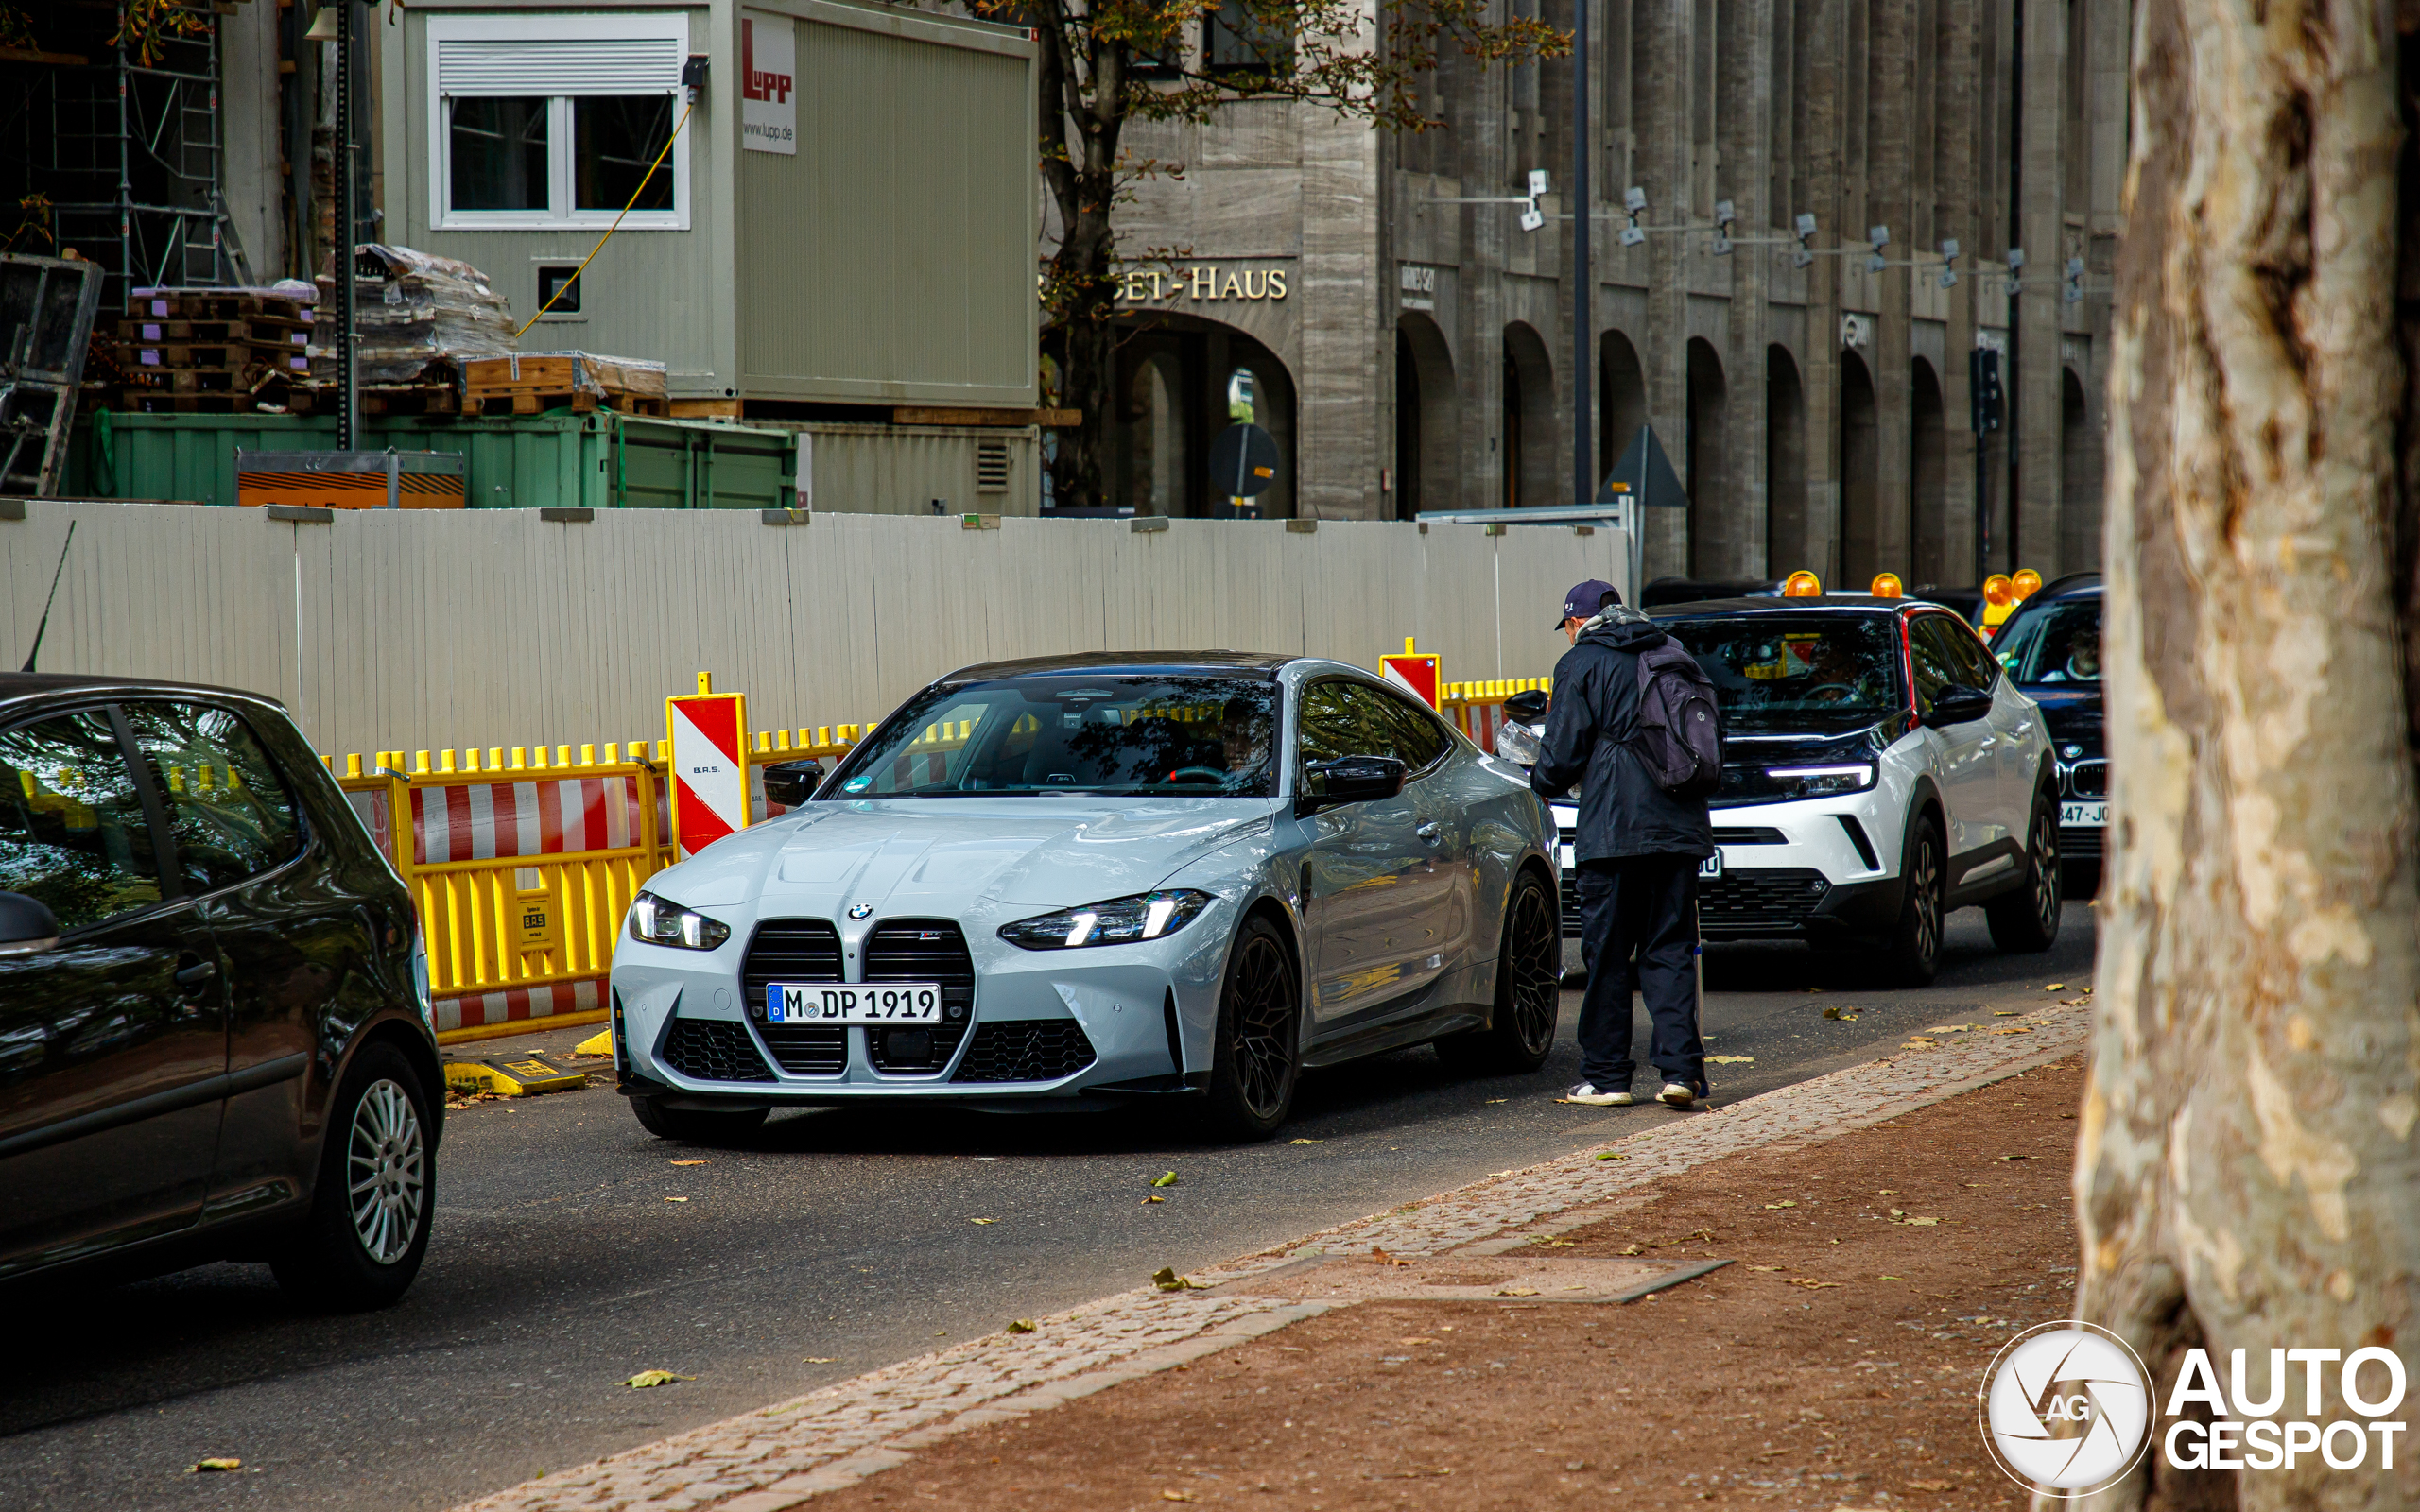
120 132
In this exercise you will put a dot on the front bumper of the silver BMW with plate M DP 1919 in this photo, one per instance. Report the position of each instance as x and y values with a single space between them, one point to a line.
1100 1022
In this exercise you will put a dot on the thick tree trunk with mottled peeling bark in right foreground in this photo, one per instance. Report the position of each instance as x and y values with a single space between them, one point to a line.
2247 1170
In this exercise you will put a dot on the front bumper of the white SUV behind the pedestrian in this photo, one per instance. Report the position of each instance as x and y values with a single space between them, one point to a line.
1821 870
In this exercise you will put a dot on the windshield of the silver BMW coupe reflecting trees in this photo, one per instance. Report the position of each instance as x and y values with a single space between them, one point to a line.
1073 734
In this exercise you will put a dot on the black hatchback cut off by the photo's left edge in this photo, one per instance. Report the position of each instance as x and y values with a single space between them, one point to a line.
214 1017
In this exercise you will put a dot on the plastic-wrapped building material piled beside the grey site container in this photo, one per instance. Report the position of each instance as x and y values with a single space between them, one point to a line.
413 313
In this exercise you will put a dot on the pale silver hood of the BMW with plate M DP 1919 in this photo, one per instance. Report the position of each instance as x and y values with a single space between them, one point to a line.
943 855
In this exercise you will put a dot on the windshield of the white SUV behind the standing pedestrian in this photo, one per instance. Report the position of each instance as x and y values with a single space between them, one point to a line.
1782 669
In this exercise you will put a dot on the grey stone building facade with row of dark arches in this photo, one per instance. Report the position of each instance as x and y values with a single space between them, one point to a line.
1414 350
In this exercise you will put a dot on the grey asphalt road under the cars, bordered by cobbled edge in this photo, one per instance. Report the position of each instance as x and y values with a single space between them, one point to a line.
831 1245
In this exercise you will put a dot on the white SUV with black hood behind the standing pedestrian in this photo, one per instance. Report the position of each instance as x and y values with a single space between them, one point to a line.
1879 771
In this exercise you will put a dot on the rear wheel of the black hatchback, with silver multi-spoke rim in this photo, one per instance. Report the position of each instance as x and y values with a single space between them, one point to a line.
376 1199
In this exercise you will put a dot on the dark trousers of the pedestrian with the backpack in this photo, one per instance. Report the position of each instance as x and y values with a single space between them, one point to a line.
1640 935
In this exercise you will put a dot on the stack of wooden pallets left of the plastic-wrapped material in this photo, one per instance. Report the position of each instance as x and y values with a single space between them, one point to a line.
207 352
